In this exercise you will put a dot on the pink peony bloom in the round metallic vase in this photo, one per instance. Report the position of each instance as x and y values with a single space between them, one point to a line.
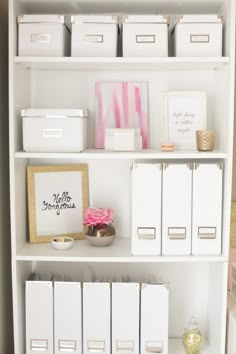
98 216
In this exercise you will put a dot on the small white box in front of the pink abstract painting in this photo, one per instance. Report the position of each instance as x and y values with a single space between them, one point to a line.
123 139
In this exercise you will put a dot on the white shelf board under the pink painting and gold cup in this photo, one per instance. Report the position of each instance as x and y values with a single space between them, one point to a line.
103 154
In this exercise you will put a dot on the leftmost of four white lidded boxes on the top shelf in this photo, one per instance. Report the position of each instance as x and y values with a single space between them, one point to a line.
43 35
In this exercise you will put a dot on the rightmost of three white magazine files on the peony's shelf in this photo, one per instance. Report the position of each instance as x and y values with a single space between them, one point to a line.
207 209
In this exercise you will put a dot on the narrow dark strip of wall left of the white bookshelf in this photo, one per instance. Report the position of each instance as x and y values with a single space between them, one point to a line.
6 332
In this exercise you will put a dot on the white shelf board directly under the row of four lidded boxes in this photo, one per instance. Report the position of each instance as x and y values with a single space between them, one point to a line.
121 63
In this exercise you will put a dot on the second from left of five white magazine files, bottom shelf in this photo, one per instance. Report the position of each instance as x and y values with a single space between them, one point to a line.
67 317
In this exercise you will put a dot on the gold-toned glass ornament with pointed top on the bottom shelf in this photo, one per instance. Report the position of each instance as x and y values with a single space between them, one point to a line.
192 338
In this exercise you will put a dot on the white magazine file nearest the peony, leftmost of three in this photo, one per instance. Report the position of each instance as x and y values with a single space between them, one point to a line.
146 209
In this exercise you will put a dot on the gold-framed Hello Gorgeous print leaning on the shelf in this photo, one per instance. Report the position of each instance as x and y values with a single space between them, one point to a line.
57 197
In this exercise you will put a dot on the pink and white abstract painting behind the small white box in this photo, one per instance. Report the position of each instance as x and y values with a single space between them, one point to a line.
121 105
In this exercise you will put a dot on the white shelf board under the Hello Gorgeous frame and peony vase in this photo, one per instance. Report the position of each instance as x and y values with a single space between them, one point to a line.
119 251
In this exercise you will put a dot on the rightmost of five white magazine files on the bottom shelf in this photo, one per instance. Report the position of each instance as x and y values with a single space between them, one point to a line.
154 318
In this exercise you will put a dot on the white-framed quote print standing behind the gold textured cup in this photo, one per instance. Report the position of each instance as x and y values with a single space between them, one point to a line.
184 113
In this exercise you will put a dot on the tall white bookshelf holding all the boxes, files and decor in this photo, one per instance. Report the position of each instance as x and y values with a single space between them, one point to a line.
198 284
